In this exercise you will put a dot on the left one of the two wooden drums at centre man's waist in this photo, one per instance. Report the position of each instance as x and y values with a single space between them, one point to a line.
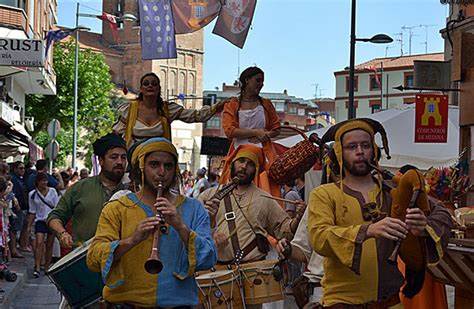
219 289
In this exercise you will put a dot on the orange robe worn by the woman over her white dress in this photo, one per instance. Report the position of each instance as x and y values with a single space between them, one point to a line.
230 122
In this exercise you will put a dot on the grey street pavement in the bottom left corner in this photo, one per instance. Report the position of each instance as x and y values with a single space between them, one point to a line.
29 292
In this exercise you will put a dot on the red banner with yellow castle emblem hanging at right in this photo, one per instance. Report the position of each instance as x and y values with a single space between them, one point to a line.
431 119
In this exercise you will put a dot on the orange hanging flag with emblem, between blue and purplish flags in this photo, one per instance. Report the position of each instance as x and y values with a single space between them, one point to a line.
190 16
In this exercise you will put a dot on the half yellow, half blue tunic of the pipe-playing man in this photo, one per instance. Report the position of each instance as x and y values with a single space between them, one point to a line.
126 280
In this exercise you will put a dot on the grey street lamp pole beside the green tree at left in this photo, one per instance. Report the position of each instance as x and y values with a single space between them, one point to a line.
128 17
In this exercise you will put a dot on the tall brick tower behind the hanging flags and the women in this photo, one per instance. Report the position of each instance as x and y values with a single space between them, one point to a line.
178 76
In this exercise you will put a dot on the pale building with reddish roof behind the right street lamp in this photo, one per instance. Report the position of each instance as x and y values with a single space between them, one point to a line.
374 83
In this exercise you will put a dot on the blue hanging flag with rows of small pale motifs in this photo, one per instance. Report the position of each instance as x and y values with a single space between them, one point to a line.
157 30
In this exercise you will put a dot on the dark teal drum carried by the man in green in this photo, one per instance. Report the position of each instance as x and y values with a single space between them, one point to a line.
80 286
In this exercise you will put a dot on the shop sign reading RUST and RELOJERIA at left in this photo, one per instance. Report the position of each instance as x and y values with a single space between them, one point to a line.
23 53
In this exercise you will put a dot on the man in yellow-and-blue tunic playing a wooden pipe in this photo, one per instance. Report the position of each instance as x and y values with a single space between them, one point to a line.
124 238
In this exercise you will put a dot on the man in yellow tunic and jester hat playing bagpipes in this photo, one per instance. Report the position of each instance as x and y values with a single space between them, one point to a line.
354 237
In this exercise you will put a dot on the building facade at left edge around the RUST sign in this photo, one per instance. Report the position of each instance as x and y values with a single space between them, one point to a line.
21 20
